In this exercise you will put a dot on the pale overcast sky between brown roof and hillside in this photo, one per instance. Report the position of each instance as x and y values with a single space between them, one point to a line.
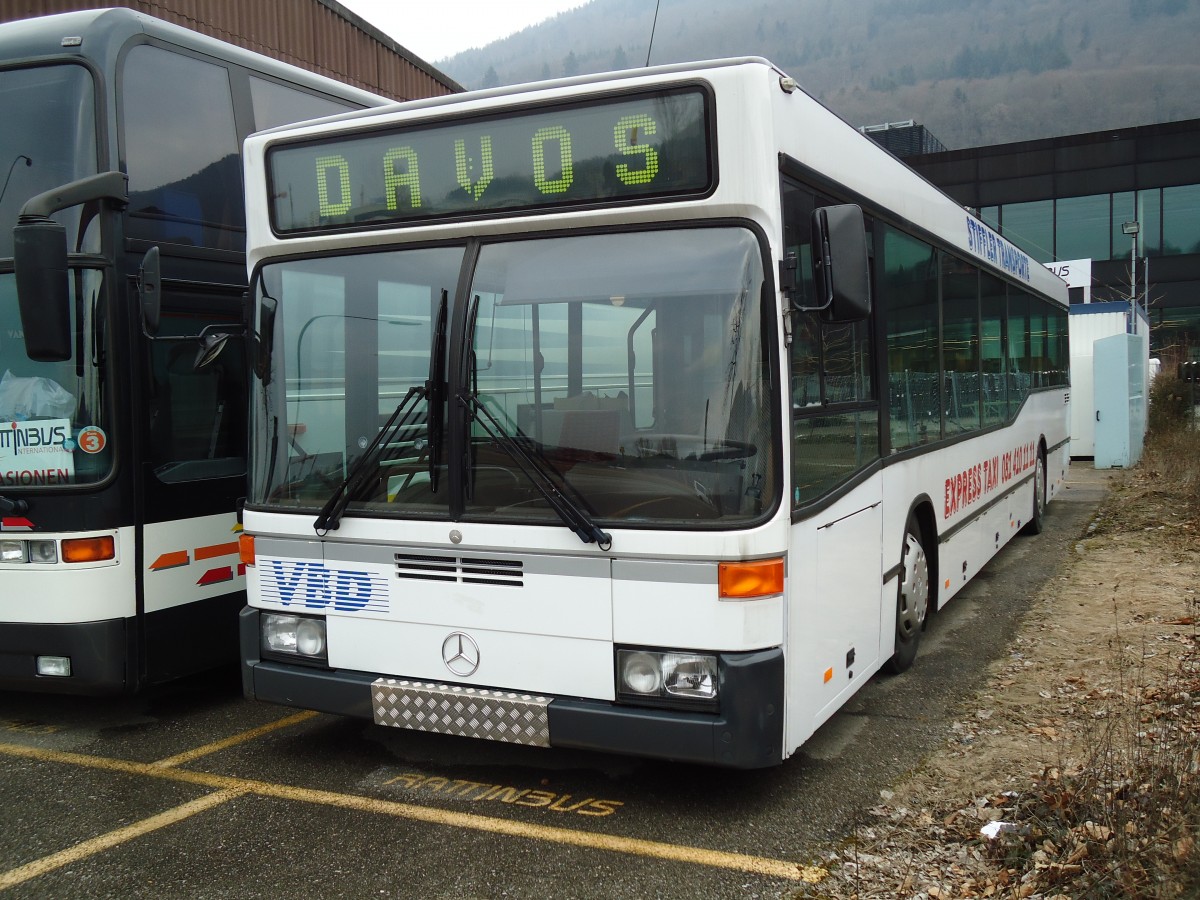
441 29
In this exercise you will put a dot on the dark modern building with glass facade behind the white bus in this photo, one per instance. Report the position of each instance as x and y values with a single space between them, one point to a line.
1072 199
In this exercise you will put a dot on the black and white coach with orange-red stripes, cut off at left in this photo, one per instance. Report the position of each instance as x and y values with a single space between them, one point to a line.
123 242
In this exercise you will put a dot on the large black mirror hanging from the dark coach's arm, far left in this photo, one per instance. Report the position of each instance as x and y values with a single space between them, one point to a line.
40 250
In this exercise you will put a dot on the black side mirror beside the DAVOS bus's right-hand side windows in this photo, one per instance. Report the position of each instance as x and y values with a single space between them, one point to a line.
841 265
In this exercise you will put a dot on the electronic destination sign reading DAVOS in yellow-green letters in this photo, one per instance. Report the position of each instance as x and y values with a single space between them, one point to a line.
631 148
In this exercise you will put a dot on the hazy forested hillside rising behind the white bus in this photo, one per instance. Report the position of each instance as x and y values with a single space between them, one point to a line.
973 71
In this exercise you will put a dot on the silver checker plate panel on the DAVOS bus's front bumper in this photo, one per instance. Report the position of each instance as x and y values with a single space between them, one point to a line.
467 712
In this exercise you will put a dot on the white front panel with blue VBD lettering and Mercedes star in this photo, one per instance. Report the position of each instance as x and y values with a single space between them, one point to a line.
553 633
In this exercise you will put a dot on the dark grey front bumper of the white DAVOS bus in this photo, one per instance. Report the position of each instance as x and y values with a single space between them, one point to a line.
747 734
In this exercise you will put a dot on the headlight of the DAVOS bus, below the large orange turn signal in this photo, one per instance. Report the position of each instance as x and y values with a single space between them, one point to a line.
668 679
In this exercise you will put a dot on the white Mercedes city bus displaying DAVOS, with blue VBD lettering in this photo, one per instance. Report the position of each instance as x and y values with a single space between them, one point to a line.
649 413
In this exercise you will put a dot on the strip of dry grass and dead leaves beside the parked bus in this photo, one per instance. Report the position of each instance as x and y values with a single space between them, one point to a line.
1088 764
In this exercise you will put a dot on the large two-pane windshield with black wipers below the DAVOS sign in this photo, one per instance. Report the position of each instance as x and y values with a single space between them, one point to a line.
628 371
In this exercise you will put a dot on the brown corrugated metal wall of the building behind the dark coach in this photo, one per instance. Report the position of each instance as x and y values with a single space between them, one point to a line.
320 35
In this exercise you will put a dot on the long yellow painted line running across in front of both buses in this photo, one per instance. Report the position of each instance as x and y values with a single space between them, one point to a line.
469 821
